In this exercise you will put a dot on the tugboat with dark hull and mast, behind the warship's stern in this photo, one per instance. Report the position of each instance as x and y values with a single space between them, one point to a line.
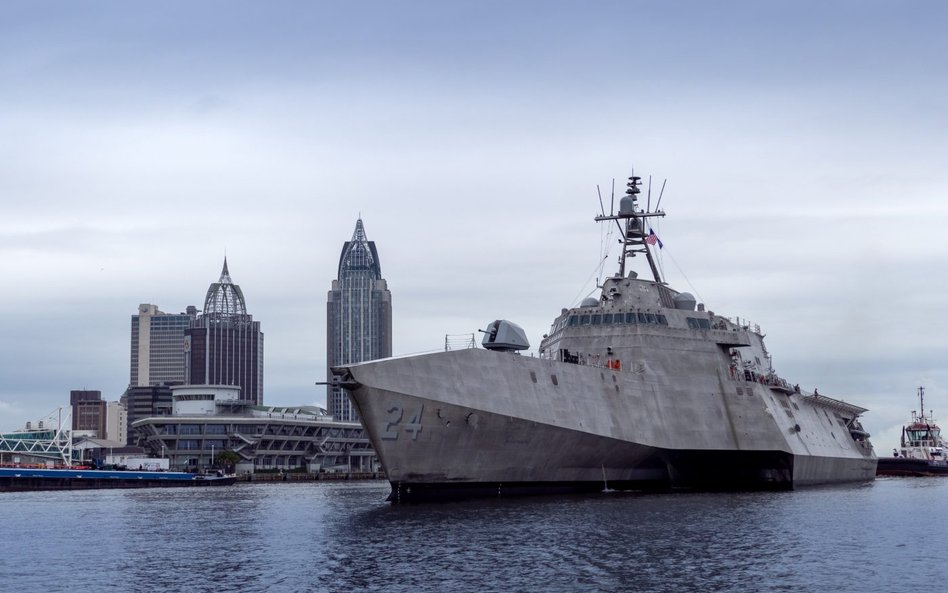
923 451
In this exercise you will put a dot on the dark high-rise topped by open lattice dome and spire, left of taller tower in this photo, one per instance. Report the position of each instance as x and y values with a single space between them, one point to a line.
224 344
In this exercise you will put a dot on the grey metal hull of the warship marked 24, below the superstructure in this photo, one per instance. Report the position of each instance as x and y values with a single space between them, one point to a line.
479 422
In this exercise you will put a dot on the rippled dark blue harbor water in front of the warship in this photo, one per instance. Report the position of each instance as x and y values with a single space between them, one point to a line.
343 537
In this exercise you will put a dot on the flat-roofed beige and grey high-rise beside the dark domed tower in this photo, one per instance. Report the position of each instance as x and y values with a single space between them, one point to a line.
157 354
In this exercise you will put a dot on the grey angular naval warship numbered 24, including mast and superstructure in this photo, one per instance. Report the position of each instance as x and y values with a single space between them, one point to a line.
641 388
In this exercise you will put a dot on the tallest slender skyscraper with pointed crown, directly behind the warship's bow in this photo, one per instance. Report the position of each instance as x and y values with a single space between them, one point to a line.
359 316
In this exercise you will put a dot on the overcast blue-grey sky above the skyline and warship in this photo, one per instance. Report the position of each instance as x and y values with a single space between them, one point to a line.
804 145
